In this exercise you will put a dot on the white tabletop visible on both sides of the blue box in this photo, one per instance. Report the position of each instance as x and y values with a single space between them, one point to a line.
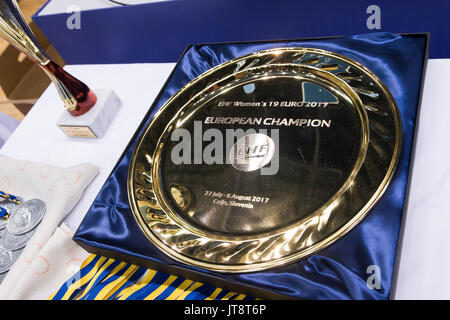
424 259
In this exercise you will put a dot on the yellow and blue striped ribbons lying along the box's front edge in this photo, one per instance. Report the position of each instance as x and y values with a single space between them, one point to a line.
101 278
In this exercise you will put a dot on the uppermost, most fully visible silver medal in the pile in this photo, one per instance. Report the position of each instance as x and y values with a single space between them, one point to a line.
26 216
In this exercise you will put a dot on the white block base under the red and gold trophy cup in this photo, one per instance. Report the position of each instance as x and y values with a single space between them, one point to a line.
94 123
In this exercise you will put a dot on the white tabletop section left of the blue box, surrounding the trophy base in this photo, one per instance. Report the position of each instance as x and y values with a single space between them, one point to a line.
38 138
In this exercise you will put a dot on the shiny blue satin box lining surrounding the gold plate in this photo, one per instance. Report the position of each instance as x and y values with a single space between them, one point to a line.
339 271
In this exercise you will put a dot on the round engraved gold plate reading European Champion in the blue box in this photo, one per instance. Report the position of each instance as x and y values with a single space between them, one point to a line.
330 136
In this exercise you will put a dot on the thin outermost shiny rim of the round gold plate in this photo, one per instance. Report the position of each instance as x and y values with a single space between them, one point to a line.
313 248
